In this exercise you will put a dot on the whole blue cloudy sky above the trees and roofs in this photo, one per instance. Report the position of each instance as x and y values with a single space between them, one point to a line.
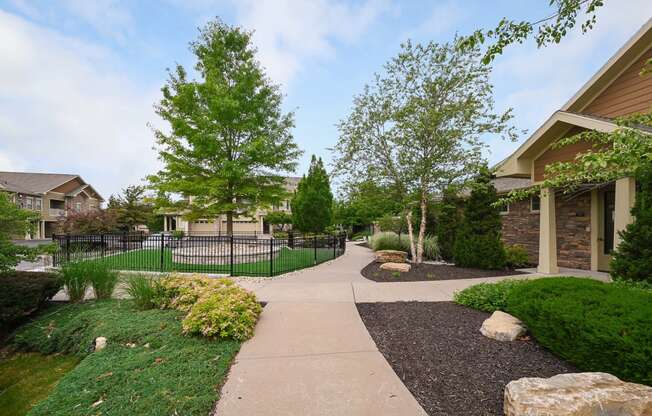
78 78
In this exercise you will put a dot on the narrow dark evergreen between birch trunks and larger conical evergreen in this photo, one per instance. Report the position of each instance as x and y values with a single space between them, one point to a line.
449 219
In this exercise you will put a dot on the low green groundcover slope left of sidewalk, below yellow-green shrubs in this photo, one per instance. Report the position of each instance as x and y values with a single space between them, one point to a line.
174 374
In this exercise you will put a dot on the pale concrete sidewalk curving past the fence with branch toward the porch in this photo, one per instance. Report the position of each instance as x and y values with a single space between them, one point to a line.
311 353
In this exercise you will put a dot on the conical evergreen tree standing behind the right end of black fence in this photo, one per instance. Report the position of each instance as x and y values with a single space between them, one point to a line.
312 206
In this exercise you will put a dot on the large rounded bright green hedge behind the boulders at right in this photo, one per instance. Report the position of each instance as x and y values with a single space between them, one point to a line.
595 326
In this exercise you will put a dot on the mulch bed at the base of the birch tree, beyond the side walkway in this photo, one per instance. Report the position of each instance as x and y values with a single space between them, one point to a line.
426 271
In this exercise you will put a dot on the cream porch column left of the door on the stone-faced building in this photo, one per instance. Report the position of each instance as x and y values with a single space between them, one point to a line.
547 233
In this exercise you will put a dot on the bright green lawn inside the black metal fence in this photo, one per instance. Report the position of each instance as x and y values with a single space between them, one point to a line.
150 260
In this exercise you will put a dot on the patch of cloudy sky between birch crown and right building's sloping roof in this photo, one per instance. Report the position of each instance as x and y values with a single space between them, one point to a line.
537 82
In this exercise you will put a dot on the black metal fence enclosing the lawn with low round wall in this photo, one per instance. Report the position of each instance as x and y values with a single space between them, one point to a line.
233 255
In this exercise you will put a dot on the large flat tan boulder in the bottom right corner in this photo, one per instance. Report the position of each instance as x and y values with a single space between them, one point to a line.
577 394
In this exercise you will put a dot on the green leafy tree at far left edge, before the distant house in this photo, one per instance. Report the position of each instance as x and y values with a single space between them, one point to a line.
14 222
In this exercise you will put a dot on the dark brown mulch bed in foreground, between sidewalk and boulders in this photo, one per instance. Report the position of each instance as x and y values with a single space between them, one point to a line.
451 369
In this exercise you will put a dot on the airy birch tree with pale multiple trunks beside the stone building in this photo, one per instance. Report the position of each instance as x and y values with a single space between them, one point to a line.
419 126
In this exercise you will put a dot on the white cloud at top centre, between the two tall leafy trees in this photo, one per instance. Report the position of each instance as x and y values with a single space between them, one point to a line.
288 33
